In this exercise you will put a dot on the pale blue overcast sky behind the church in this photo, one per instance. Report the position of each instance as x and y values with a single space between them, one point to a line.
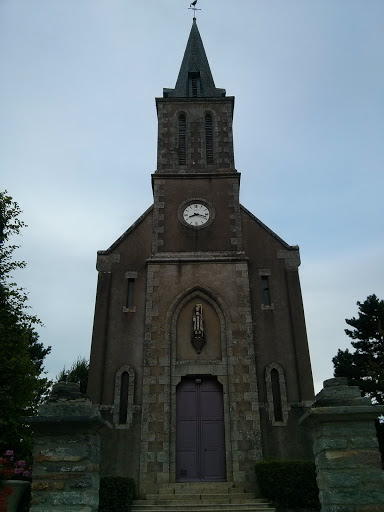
78 133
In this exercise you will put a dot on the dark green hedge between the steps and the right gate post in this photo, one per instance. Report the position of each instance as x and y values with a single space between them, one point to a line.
288 483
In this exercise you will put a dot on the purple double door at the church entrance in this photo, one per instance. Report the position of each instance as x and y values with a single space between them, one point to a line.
200 442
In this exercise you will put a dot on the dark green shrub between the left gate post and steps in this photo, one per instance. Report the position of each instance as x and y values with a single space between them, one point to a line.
116 494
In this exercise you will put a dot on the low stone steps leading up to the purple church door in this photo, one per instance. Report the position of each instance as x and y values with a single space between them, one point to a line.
201 497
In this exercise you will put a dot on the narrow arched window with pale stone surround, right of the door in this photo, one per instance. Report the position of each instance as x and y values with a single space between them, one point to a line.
276 394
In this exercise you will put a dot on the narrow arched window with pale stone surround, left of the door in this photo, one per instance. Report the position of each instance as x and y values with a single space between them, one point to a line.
123 407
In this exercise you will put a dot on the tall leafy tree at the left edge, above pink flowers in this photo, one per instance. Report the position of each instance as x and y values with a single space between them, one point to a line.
22 381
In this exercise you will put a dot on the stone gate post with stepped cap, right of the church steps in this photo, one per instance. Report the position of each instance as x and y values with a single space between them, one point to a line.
349 472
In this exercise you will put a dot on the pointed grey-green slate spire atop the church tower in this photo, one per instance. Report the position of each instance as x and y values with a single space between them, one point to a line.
195 77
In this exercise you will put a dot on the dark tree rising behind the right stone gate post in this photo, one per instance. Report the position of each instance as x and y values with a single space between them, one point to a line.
365 366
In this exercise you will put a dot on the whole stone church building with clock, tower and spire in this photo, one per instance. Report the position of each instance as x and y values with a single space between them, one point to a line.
199 354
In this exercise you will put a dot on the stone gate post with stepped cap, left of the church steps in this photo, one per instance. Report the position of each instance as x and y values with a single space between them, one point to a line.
66 455
